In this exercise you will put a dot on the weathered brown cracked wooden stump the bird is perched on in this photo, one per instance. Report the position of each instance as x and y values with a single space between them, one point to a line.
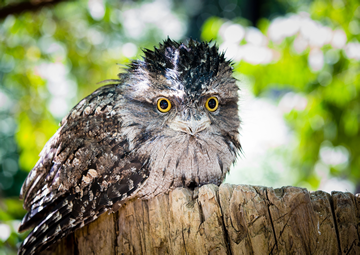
230 219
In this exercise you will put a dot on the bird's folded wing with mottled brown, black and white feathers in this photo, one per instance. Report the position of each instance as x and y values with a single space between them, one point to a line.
84 170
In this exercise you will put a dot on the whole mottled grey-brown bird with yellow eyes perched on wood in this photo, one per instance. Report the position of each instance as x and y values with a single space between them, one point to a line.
170 120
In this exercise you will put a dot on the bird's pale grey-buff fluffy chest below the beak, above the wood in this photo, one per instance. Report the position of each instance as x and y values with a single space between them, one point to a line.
180 163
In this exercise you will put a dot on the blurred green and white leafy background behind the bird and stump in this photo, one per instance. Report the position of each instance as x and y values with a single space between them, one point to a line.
297 63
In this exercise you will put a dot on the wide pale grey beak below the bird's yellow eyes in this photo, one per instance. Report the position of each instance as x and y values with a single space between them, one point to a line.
190 127
